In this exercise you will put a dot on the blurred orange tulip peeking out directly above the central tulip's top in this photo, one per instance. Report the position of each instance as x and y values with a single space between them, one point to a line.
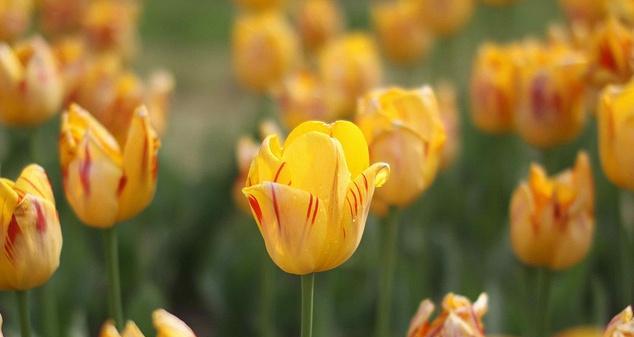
300 98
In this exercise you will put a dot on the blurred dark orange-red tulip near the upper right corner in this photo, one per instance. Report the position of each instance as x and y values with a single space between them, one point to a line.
611 53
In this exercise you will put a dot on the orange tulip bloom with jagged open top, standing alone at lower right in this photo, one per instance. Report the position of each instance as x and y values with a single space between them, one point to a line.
552 219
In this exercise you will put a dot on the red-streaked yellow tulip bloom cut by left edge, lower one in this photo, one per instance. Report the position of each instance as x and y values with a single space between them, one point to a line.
31 236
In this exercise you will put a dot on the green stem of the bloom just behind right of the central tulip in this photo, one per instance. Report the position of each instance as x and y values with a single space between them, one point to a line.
384 305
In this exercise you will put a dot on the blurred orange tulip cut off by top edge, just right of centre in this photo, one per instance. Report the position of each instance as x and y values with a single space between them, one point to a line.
445 17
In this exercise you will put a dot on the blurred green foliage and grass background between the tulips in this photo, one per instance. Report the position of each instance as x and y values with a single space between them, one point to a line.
193 253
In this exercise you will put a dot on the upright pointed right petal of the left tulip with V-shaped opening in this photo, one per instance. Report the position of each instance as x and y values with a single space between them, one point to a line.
140 164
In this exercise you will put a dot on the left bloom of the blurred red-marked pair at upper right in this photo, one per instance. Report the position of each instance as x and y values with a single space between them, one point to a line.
493 88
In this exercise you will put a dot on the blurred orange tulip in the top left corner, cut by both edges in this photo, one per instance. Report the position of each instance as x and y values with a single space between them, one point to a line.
15 18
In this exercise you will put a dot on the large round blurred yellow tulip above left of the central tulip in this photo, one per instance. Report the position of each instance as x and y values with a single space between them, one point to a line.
265 49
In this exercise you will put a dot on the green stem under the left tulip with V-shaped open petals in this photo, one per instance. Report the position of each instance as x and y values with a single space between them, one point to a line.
112 263
